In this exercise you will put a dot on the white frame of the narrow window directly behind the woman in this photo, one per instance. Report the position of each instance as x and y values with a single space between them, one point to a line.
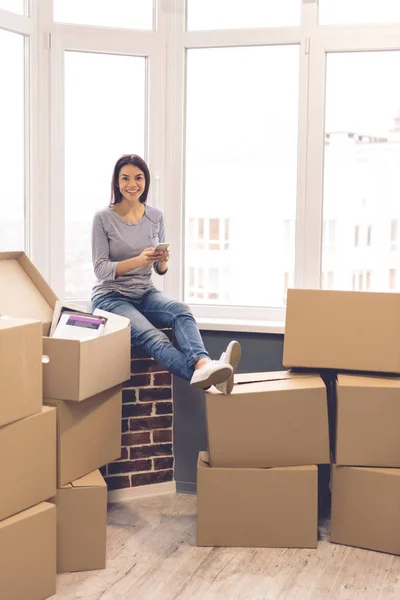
147 44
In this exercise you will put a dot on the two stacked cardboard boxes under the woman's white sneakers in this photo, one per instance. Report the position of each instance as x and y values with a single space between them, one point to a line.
258 484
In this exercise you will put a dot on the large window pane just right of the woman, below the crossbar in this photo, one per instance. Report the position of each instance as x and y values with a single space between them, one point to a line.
241 168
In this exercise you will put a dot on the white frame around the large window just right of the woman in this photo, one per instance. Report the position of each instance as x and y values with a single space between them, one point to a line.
178 44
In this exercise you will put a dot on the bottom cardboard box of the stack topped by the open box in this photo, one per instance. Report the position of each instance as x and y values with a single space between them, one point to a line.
82 524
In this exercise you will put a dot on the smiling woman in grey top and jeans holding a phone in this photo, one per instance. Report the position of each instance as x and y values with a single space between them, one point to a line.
124 238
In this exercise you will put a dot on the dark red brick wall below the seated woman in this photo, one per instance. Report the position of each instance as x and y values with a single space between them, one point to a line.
146 441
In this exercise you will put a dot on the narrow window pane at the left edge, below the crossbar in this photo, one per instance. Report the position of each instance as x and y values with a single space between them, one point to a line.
12 142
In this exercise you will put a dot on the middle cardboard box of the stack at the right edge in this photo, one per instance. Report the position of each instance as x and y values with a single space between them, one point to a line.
368 421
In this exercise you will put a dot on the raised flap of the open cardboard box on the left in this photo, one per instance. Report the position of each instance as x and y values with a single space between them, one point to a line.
26 294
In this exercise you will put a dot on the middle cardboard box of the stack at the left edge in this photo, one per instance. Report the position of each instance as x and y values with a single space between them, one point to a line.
28 465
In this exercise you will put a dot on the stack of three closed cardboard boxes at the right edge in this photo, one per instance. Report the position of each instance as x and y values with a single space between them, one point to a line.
358 333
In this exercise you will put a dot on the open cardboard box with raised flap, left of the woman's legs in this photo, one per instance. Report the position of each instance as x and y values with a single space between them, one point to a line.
77 369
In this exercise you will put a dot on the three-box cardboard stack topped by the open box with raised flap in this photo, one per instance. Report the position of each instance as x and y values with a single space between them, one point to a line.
81 388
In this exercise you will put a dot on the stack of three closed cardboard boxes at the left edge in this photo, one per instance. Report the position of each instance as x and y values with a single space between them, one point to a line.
28 467
